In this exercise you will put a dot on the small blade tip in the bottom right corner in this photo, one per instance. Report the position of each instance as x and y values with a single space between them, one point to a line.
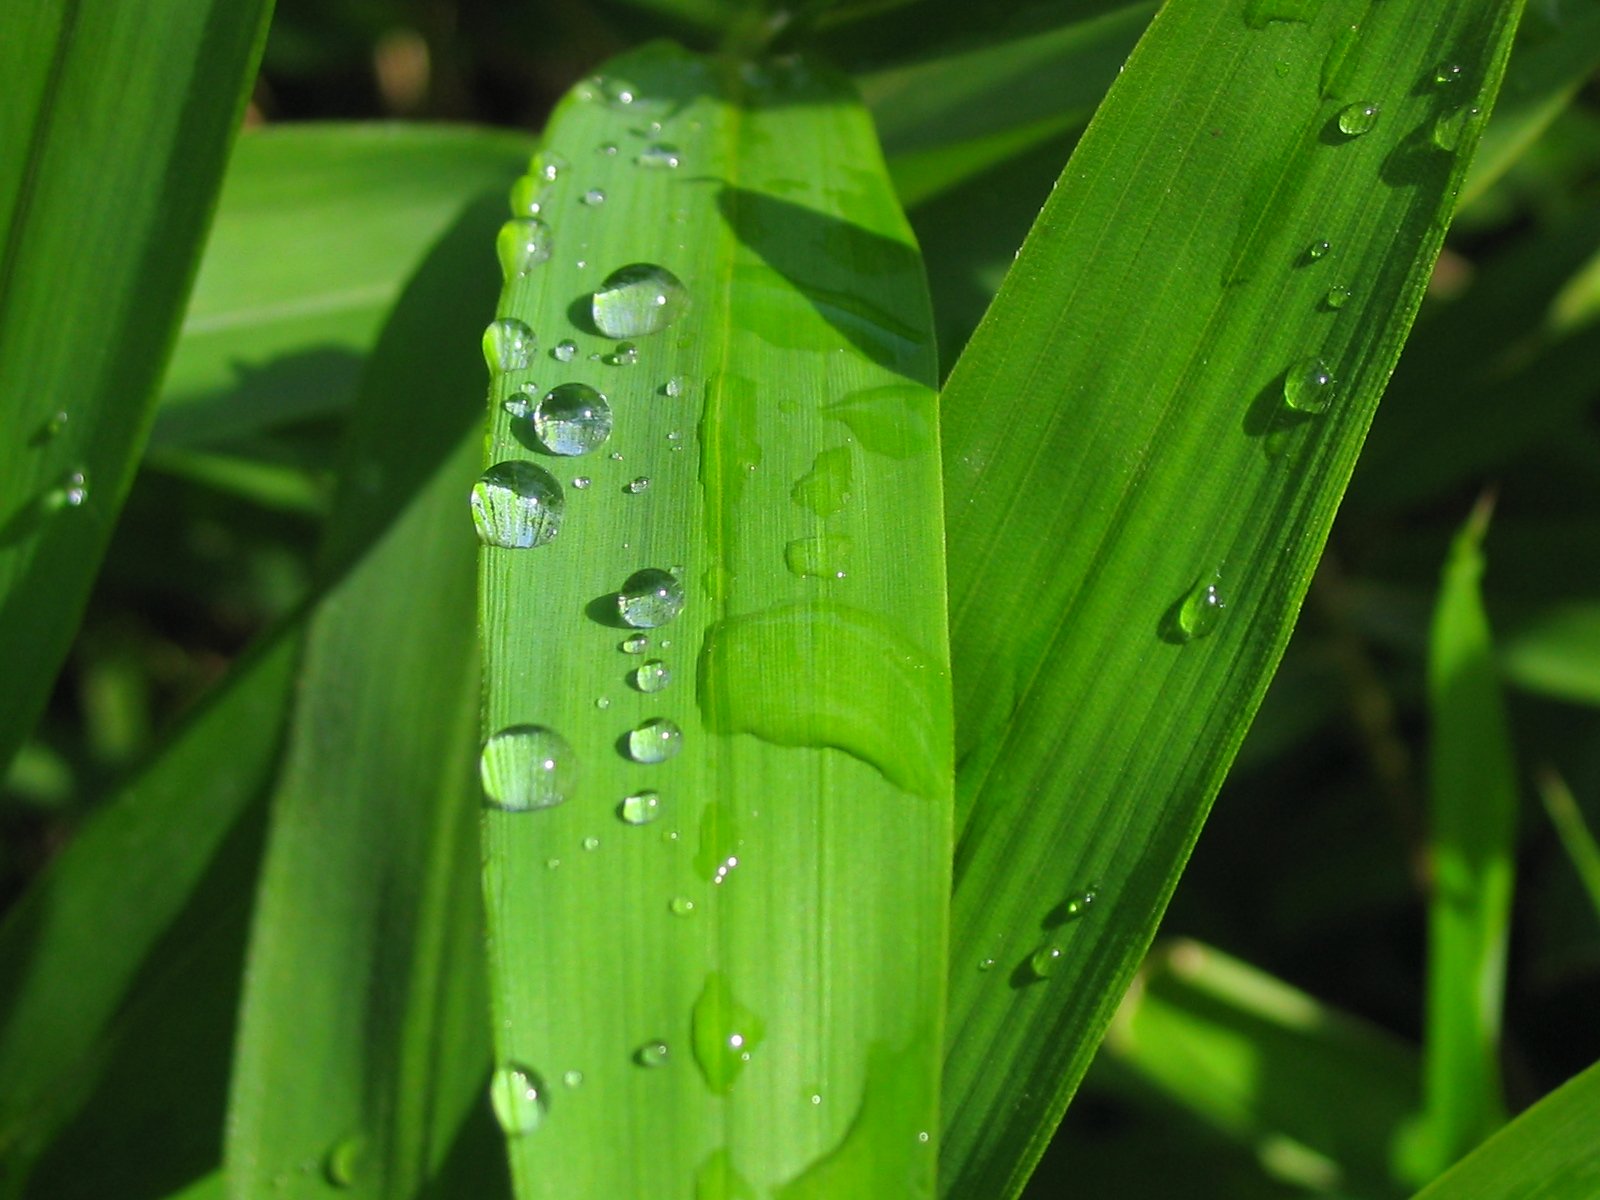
1550 1153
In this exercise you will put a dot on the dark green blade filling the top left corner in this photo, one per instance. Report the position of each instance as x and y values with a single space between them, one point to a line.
100 234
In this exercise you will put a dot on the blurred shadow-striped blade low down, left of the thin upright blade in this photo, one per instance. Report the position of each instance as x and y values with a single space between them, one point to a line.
1313 1090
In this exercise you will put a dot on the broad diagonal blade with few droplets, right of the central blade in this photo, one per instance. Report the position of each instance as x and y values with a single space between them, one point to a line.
1145 446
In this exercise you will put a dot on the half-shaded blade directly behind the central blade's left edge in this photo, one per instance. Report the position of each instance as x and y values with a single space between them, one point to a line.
362 1038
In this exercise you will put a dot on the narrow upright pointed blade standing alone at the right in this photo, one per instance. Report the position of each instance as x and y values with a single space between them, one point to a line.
1473 806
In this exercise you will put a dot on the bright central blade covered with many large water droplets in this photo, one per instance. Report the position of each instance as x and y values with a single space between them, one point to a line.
718 967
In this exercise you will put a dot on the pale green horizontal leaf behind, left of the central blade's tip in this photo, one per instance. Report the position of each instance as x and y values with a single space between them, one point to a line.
318 231
